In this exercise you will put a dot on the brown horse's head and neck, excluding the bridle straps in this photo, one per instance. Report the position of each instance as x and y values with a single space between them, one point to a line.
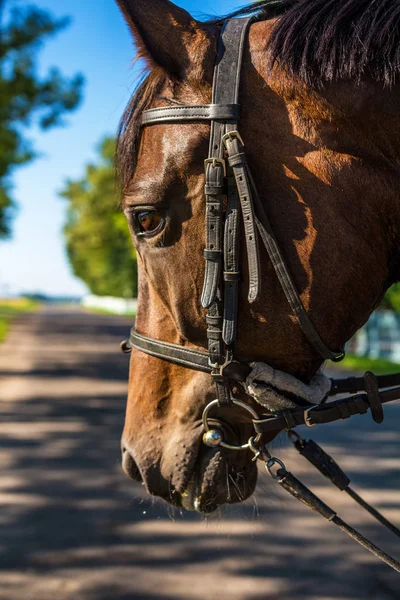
325 159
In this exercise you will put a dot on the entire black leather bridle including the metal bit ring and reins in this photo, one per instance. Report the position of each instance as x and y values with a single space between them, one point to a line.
228 175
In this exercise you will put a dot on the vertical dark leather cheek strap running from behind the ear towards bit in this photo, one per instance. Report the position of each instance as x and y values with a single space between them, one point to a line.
225 92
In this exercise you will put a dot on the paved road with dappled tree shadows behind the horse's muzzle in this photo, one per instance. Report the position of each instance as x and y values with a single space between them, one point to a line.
72 526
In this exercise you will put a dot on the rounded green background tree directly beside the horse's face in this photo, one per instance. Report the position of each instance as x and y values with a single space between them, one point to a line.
99 244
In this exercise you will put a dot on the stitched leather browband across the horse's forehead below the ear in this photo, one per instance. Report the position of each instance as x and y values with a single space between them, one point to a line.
202 112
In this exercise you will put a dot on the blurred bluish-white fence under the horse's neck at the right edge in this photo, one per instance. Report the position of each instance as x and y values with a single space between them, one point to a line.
379 338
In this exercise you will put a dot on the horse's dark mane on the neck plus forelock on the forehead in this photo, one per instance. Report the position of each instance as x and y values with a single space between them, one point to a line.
316 40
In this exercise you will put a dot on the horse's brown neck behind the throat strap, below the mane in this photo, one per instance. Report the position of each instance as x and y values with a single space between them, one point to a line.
327 165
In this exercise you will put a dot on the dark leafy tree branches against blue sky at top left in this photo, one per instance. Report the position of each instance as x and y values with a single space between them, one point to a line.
25 97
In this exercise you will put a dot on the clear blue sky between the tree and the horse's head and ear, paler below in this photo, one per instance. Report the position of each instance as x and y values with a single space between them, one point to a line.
98 44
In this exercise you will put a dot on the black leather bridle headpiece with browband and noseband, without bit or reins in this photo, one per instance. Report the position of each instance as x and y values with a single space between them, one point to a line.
227 175
